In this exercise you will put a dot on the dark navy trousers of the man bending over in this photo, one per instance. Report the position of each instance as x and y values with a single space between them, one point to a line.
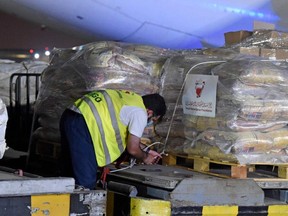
78 158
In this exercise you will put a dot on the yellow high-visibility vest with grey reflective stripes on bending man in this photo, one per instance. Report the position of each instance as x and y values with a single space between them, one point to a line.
101 111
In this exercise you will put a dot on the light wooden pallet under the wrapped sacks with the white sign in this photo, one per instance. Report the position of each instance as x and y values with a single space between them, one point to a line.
203 164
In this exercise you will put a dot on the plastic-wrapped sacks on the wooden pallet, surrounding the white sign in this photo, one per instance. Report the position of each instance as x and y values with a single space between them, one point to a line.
251 115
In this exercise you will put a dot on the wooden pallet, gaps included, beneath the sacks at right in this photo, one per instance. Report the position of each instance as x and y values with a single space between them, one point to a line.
227 169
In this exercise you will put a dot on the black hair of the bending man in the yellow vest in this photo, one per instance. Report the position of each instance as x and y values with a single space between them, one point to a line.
156 103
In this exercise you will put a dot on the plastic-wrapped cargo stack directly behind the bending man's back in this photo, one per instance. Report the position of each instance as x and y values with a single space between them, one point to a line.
73 72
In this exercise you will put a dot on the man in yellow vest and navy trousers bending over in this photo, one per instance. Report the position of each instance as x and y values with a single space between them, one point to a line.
101 125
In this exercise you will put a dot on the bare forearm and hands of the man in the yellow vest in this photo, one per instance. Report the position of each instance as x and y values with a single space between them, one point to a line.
134 148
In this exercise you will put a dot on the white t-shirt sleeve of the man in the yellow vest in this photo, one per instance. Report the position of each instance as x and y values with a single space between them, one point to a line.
135 118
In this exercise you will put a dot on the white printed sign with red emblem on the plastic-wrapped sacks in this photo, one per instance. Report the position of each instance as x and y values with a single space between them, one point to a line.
199 96
